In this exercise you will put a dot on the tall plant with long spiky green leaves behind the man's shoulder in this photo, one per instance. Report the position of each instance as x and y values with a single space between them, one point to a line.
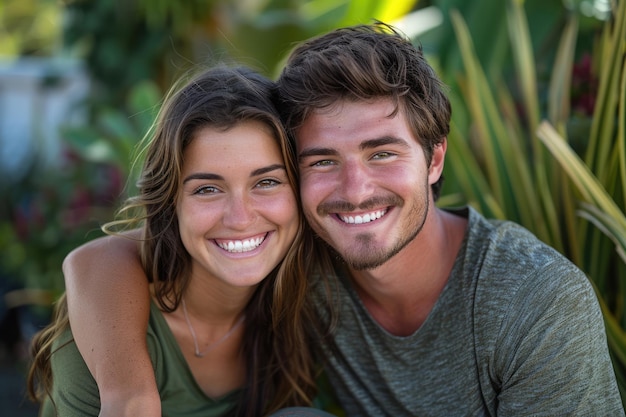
515 166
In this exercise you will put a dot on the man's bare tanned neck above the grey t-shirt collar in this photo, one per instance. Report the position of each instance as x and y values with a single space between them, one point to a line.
401 293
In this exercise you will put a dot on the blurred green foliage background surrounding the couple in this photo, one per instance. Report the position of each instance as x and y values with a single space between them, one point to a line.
537 86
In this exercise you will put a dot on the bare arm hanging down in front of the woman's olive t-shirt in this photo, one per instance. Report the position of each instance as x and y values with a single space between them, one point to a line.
109 304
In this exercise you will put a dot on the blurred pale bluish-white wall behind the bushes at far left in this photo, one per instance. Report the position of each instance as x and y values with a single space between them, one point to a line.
37 97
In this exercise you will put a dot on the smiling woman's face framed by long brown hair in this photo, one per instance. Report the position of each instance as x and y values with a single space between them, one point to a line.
237 212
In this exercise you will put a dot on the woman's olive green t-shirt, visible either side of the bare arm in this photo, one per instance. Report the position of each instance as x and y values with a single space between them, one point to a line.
75 392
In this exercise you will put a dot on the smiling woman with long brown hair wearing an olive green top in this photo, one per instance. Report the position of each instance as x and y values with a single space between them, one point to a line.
227 256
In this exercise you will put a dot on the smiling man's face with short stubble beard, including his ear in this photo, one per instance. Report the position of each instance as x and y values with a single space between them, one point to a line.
365 180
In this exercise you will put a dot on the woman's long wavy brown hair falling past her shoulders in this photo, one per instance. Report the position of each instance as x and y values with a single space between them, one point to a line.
280 322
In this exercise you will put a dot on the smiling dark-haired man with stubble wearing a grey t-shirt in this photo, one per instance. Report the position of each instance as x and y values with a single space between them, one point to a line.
440 312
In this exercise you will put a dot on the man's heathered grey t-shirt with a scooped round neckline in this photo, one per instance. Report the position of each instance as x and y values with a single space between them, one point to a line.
516 331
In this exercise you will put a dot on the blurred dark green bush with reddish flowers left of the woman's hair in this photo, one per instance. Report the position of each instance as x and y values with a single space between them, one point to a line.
50 211
